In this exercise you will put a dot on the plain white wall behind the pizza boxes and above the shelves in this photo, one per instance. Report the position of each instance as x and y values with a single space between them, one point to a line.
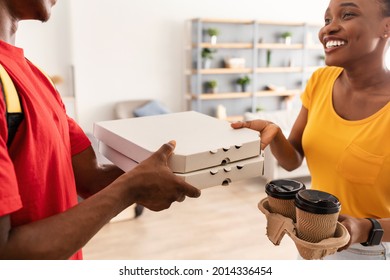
127 49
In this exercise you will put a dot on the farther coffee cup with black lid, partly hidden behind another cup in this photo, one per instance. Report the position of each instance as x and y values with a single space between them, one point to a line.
281 196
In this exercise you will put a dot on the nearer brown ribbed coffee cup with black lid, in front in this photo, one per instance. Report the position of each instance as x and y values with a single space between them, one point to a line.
316 215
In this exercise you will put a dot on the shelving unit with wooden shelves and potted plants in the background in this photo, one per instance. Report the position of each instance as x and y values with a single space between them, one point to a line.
288 69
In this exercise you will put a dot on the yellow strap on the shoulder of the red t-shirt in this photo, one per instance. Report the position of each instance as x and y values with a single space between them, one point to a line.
11 96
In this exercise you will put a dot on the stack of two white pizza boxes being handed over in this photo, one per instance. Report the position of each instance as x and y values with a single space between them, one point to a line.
208 151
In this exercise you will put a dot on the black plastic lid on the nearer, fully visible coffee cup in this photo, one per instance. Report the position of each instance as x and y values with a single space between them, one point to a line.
317 202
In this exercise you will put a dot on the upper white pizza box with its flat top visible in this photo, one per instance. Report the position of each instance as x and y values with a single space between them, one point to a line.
202 141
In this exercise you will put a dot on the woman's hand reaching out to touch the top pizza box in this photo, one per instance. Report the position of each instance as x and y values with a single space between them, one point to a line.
267 129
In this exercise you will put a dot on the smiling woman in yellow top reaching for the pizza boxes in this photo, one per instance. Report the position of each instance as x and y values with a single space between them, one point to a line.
342 128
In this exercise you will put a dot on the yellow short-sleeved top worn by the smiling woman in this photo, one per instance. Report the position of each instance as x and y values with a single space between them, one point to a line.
349 159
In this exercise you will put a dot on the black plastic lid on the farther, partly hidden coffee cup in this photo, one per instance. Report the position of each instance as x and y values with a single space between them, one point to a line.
283 189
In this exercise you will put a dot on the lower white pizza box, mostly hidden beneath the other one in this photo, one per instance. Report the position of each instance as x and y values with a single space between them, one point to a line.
205 178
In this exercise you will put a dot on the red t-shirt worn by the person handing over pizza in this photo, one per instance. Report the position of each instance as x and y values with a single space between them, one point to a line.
36 175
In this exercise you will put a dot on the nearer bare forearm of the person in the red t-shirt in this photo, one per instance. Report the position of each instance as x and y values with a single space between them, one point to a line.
62 235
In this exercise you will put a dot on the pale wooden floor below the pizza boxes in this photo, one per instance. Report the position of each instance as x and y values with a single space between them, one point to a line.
223 224
